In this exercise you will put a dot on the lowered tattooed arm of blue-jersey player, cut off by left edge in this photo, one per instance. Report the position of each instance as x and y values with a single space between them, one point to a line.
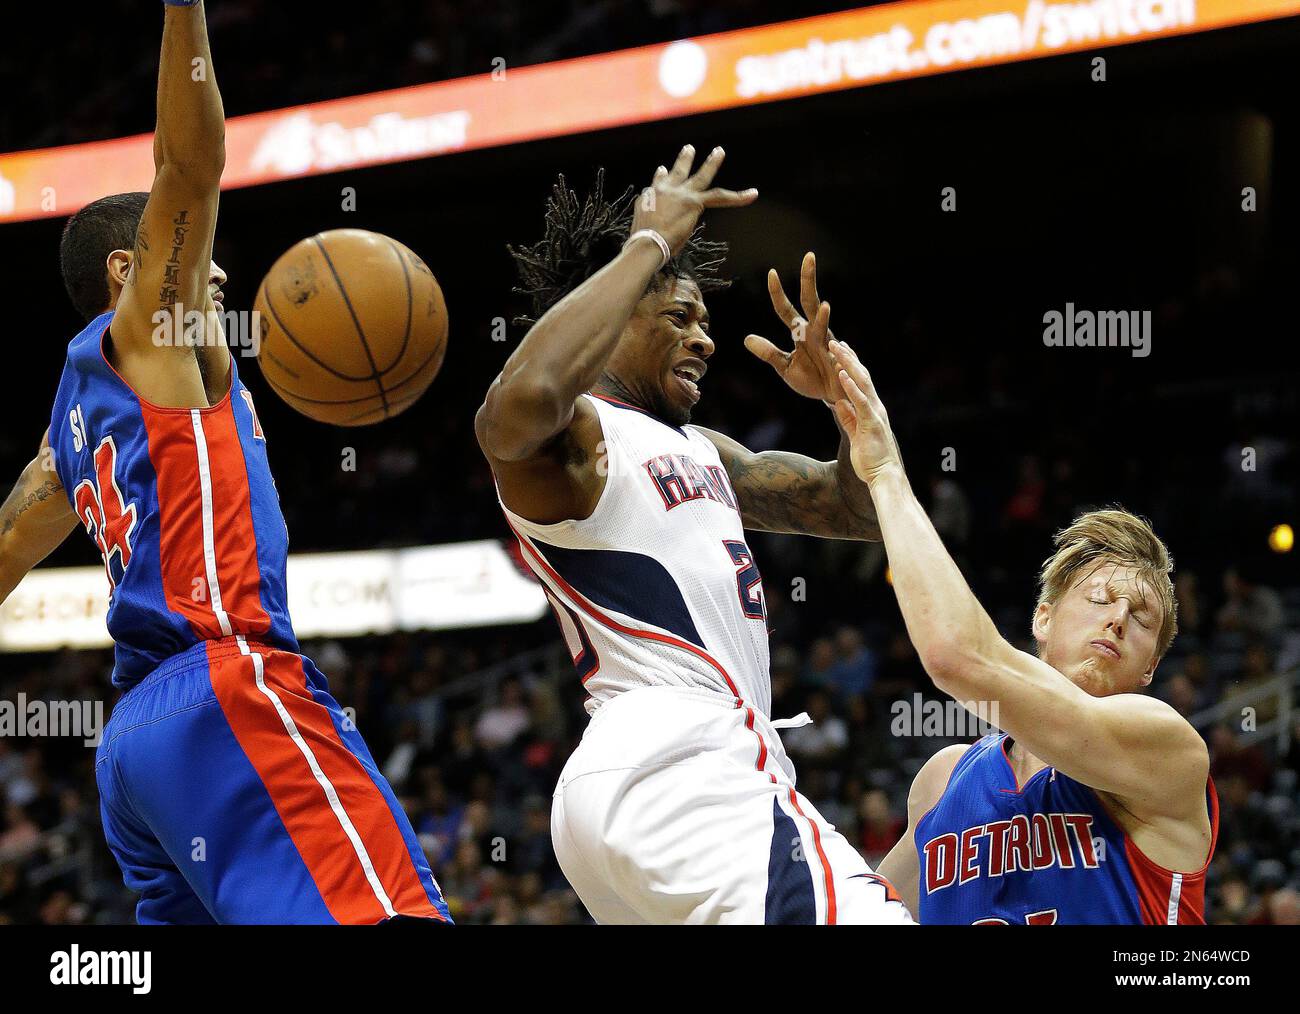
34 519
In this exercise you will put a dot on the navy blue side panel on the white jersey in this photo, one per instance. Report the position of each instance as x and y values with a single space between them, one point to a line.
630 583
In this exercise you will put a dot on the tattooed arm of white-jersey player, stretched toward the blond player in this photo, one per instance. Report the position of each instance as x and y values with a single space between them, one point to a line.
783 492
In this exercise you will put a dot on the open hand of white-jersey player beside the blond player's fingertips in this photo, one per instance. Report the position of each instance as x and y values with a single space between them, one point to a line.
809 367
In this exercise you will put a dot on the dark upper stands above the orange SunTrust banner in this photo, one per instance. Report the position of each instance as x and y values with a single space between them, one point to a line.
111 53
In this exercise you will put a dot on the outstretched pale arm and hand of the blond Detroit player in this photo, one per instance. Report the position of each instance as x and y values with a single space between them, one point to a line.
1130 746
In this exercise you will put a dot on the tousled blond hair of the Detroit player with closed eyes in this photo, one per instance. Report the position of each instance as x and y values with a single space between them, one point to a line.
1112 536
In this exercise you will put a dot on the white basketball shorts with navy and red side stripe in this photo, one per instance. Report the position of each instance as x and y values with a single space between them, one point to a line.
679 807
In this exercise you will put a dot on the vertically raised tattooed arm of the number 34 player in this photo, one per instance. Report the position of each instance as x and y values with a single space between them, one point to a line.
171 268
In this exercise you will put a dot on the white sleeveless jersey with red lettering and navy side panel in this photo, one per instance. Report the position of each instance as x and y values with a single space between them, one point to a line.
658 587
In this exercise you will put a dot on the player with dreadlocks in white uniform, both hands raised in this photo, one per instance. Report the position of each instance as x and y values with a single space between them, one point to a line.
679 805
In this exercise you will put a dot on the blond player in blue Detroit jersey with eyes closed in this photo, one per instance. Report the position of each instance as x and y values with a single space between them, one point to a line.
1095 805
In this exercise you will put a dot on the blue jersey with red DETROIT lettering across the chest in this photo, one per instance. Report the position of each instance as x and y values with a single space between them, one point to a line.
994 852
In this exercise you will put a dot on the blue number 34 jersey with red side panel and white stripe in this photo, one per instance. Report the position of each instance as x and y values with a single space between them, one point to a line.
180 504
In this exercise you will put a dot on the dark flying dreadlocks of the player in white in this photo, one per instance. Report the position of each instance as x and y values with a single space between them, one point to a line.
584 236
